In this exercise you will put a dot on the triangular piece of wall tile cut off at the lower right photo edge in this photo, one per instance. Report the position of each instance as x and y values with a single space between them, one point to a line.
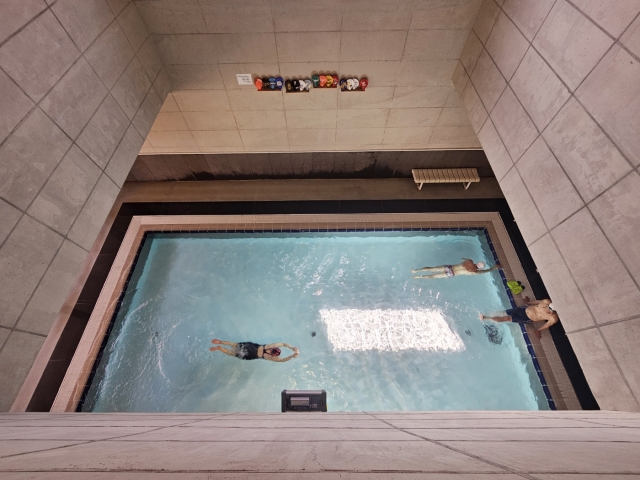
623 337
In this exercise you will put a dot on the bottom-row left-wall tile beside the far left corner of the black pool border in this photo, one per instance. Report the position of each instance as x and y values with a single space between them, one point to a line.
93 214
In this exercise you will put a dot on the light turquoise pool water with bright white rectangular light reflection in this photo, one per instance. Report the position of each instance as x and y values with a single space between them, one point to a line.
369 334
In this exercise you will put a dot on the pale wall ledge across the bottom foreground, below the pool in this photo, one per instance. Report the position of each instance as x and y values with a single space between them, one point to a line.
322 446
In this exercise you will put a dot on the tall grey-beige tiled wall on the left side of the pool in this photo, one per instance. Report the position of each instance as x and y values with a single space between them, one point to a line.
80 86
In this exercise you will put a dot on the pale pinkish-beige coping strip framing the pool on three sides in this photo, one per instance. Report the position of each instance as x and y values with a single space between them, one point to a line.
79 370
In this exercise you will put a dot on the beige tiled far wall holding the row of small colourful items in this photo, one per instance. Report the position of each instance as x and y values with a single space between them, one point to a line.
408 49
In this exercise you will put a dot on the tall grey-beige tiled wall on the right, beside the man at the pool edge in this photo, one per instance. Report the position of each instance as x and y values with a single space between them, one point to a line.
552 88
